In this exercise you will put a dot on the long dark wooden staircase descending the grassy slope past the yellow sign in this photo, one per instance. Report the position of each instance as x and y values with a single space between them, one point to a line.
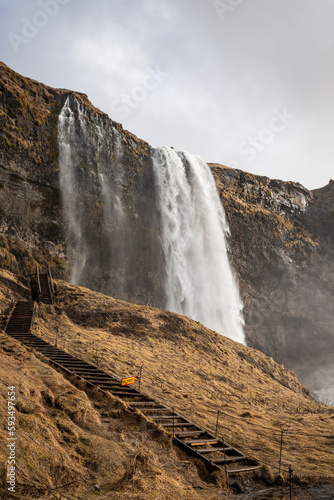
193 439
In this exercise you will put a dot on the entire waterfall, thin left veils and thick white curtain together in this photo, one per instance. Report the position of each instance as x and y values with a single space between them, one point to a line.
146 231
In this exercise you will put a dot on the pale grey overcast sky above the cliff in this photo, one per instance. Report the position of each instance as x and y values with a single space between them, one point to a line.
245 83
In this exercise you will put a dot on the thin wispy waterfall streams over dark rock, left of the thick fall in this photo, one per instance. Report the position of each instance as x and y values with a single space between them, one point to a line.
91 177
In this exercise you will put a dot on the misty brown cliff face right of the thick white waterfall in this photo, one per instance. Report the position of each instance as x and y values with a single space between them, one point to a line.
282 248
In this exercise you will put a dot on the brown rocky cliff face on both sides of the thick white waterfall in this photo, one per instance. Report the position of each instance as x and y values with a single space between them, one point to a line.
281 239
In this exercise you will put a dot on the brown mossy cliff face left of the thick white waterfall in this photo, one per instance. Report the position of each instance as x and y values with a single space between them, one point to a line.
32 211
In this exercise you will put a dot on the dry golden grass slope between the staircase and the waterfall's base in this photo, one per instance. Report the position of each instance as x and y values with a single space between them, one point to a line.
199 372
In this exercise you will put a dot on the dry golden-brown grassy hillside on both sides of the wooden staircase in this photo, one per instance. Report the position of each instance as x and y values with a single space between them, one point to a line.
65 446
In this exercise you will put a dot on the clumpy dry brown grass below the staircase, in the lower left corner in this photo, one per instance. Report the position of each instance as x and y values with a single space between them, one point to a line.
64 448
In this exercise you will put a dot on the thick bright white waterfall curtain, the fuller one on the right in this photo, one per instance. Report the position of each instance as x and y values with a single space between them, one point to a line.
198 278
